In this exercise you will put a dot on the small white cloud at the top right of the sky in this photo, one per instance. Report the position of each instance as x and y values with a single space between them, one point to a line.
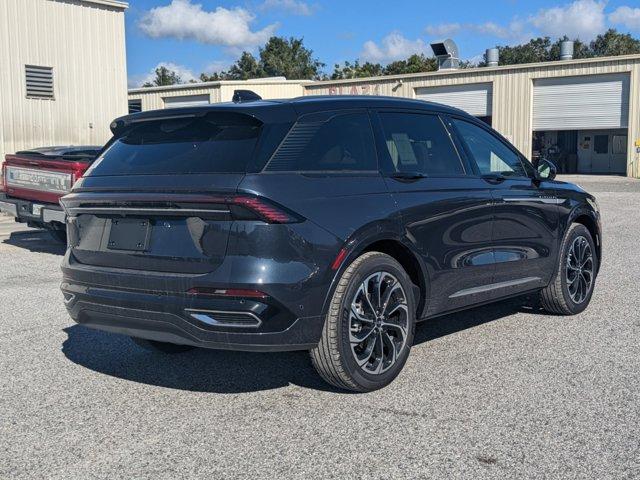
583 19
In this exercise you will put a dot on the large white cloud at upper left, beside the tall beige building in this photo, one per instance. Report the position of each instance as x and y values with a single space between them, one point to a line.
184 20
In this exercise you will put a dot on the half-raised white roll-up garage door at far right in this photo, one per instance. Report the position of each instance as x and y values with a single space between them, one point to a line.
572 103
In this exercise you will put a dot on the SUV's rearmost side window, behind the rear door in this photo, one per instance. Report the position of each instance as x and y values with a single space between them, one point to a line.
342 143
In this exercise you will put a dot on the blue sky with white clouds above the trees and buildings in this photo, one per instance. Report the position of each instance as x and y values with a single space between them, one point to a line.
194 36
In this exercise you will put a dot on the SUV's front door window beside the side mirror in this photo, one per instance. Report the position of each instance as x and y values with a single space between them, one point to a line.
489 152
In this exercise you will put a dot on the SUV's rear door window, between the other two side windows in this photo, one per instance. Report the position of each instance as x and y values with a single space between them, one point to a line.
419 143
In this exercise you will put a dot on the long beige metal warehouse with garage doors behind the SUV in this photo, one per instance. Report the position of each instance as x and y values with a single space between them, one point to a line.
582 114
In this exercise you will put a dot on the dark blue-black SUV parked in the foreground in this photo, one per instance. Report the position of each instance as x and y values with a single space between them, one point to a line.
329 224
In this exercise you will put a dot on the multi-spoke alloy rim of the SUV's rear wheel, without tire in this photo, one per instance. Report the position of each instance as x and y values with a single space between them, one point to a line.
378 322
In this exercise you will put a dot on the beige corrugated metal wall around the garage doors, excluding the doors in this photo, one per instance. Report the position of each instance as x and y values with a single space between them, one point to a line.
512 93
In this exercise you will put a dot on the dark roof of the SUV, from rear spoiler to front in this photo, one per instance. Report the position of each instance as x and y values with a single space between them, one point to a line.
271 111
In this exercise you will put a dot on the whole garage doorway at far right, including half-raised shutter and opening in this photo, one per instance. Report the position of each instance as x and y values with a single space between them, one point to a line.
596 107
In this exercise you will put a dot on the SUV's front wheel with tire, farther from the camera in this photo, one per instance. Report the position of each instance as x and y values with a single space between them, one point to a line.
558 297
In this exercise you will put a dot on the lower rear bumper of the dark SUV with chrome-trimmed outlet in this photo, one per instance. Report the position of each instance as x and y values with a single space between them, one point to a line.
170 318
